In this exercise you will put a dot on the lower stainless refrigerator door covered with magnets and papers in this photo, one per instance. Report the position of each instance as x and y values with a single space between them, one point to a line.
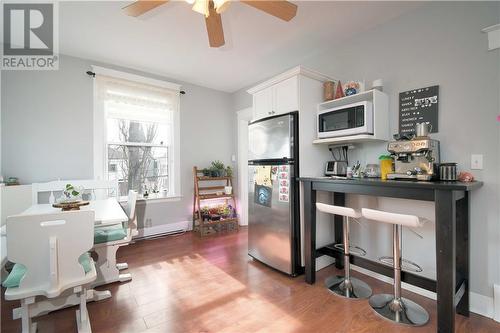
270 218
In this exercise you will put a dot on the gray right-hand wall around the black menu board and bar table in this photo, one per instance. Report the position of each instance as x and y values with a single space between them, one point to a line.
439 43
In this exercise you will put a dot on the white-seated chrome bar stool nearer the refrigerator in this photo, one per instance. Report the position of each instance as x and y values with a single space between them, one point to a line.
345 286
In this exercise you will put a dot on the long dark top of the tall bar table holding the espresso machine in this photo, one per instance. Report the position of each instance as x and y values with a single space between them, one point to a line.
434 185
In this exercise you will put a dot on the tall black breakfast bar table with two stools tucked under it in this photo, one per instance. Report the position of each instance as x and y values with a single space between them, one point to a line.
452 214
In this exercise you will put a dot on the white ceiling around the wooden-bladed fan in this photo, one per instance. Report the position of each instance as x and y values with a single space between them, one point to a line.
171 40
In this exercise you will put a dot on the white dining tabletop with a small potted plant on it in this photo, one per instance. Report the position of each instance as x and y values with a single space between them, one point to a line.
107 211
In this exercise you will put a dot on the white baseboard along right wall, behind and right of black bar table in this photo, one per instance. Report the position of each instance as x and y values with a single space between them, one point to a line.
482 305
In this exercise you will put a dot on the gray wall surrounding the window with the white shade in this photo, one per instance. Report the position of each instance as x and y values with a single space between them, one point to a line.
47 124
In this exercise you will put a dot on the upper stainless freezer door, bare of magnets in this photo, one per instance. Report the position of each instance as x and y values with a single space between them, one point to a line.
271 138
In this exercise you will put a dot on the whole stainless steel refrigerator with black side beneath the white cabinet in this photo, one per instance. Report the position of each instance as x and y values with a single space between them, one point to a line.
273 209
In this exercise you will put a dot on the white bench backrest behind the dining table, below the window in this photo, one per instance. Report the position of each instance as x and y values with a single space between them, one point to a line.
99 189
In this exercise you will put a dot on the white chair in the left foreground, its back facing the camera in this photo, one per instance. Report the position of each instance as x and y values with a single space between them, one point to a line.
50 252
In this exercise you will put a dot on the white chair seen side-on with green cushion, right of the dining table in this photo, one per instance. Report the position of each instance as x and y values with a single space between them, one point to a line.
107 241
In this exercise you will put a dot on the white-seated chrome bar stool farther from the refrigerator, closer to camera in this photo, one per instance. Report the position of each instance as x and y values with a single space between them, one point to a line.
394 307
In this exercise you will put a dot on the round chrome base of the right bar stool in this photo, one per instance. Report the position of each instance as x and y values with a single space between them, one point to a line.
401 311
